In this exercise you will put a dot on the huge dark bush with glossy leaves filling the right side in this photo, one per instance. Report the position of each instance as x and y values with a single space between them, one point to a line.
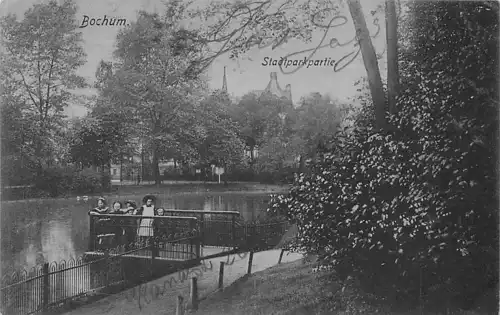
416 208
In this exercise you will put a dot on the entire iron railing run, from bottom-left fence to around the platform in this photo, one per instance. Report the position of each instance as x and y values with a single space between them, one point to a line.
128 264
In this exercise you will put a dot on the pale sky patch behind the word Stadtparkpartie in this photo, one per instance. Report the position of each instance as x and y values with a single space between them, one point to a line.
249 73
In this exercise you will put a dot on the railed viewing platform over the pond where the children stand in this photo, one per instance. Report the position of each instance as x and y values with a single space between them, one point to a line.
178 235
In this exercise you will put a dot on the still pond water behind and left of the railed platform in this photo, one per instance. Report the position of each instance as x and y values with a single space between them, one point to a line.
34 232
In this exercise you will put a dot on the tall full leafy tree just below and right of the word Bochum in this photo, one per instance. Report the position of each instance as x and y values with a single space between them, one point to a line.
153 82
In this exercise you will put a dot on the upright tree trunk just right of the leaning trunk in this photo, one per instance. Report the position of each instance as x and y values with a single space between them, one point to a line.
391 23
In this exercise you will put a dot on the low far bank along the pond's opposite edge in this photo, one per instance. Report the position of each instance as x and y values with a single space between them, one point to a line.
170 187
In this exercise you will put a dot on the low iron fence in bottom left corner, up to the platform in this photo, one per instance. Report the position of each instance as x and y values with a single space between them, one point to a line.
51 284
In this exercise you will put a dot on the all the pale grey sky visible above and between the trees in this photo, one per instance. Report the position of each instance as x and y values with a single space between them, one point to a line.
247 73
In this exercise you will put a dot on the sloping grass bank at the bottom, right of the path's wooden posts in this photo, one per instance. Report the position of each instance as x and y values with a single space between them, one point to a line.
294 289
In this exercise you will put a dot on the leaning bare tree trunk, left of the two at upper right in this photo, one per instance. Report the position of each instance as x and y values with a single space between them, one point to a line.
370 62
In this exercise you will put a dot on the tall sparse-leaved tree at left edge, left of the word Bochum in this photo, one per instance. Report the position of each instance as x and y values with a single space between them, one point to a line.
40 56
